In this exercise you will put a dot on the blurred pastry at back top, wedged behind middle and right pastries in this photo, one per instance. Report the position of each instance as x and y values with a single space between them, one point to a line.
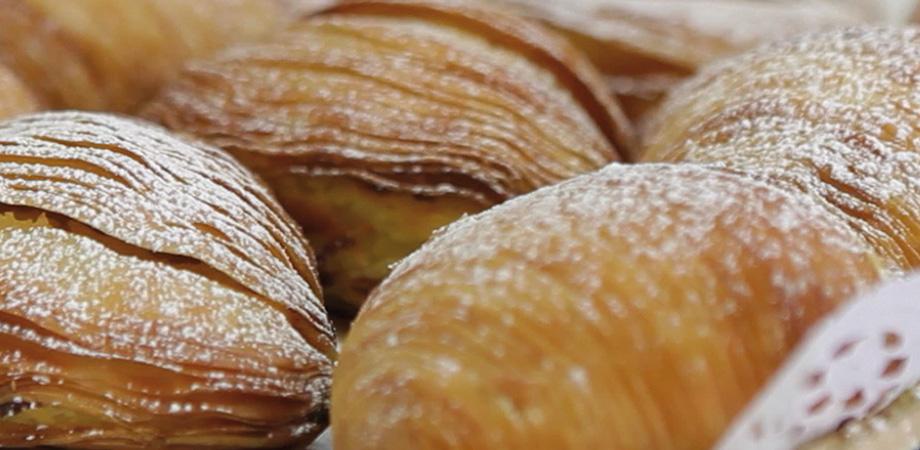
645 47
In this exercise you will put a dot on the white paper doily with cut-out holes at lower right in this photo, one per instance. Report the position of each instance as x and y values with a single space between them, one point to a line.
851 365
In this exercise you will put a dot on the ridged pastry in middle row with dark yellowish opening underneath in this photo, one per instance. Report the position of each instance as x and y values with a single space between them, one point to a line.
377 122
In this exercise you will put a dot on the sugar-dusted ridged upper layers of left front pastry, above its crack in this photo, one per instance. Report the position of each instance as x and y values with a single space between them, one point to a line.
146 188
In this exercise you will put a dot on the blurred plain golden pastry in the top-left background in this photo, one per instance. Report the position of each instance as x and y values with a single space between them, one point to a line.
113 54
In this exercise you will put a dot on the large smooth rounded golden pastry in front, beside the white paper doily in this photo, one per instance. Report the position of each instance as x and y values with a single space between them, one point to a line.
639 307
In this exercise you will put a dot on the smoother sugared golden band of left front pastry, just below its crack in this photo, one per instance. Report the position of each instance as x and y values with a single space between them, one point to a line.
139 308
